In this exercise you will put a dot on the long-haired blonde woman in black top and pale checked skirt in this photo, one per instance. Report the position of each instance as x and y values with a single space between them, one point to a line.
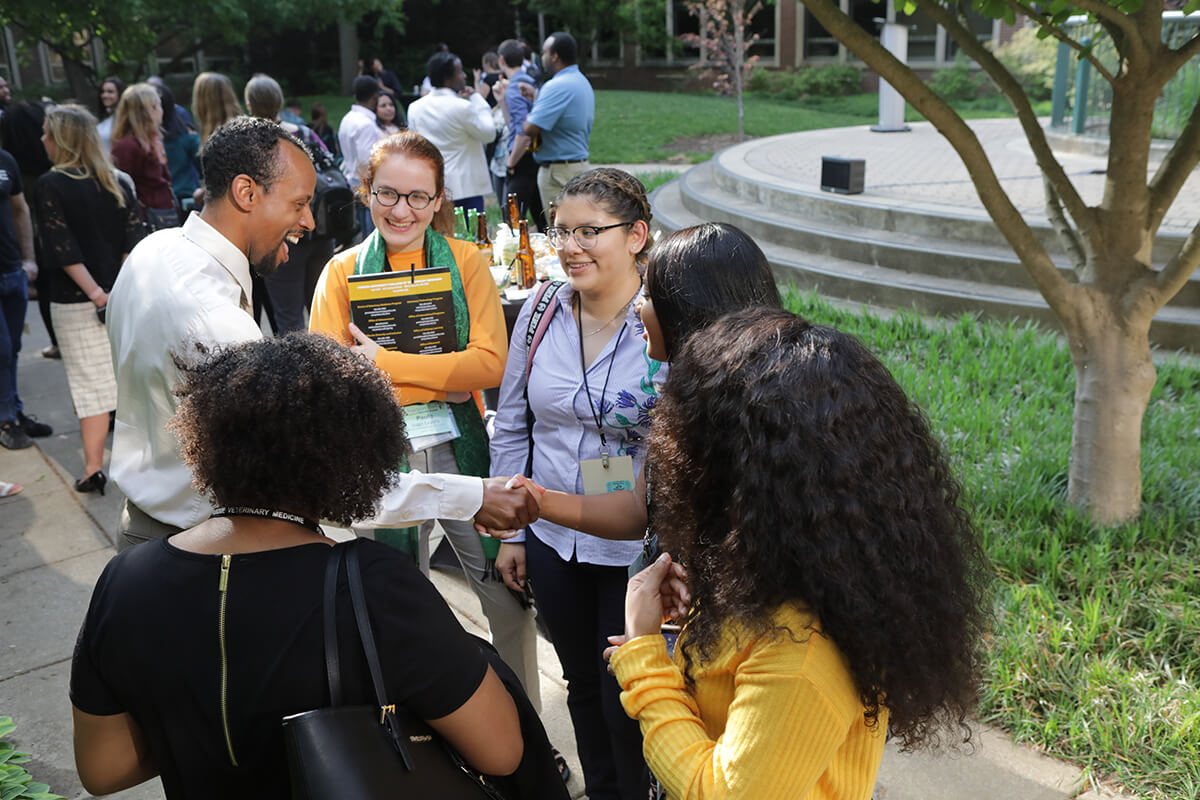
88 222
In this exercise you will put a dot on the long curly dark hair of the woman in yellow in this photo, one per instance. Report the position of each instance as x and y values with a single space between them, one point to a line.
824 489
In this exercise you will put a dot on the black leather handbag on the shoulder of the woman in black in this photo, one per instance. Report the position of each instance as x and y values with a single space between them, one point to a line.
370 751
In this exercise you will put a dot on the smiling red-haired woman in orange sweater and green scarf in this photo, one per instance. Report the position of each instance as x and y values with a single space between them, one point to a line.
404 187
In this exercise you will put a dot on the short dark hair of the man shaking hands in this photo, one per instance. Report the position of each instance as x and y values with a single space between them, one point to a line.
244 146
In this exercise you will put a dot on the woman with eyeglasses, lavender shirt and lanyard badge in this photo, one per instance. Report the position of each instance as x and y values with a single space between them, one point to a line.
590 394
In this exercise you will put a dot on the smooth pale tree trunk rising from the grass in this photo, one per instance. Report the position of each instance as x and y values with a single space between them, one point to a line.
1114 377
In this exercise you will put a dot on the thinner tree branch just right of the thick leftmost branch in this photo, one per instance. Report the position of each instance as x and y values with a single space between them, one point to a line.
1081 213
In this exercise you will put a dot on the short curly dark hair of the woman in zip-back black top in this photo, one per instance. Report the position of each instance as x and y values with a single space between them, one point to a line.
298 424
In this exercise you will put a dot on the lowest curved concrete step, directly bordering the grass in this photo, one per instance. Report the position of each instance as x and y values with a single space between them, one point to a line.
1174 328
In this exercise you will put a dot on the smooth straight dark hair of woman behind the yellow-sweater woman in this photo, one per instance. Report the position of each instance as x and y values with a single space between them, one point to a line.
698 274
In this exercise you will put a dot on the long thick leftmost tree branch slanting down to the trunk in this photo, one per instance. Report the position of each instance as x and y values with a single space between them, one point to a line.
1055 288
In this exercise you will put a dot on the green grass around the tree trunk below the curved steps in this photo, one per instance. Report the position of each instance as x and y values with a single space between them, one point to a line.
1094 655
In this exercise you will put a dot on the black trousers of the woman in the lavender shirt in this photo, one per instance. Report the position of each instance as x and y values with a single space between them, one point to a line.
583 605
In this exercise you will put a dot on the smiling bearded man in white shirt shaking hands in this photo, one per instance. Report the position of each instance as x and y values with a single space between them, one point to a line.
191 286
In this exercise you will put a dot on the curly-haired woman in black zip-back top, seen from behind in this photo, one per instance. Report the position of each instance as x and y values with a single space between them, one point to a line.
195 647
